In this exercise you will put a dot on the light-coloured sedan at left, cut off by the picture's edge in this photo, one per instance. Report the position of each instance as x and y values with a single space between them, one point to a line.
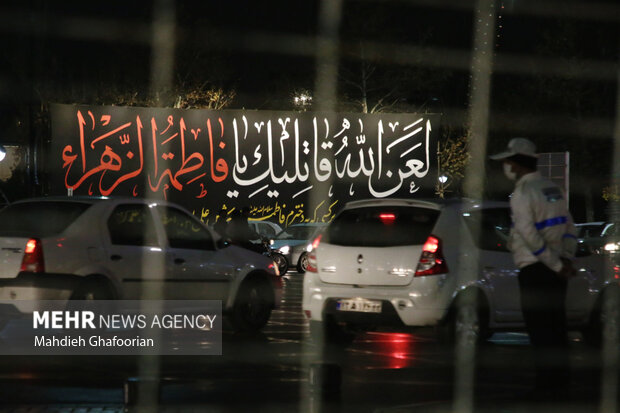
65 248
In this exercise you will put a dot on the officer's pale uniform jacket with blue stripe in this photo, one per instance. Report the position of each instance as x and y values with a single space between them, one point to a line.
543 229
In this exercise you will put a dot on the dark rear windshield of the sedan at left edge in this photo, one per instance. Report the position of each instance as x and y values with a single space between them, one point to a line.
39 219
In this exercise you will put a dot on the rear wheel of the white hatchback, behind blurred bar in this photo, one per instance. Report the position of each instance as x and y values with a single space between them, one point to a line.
467 321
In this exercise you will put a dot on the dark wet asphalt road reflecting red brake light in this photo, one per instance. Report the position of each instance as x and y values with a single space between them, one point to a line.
278 370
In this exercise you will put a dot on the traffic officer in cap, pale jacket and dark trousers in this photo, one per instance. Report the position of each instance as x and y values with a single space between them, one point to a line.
543 243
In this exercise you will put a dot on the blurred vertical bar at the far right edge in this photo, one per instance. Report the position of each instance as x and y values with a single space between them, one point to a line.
611 305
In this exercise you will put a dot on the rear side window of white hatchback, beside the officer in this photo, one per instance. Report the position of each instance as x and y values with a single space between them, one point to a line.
490 228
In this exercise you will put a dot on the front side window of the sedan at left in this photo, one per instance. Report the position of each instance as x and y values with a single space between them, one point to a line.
183 231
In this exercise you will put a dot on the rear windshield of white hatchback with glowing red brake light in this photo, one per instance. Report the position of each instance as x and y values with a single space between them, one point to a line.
382 226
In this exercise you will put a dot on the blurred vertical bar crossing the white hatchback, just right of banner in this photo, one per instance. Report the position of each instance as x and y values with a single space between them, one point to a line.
478 122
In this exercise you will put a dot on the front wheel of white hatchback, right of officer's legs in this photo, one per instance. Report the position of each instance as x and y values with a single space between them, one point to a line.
604 319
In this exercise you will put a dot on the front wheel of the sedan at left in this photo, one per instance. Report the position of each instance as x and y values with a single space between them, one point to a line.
253 306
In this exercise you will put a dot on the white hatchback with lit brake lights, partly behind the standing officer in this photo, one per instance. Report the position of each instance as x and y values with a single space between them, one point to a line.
406 263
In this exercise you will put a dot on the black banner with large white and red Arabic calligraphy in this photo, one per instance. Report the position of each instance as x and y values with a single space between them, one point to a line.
289 167
